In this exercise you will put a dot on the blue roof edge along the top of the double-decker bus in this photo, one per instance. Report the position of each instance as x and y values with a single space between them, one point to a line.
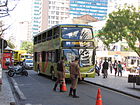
63 25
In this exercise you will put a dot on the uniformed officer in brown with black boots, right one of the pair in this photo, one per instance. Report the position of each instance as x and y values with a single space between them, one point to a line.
74 75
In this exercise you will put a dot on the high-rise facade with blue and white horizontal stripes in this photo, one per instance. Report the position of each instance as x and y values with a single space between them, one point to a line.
95 8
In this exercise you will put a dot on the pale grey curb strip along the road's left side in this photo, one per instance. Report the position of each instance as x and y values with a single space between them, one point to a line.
17 90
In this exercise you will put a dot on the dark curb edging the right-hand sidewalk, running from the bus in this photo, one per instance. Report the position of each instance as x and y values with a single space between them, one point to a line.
113 89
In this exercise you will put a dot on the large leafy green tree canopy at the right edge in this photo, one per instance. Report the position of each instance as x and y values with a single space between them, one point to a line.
123 24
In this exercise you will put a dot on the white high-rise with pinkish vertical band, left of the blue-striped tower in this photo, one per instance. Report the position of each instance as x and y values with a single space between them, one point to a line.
47 13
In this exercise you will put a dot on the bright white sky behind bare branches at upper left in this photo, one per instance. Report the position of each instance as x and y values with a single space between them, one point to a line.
22 12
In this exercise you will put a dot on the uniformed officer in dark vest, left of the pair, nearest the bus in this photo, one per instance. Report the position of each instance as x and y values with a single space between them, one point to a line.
60 74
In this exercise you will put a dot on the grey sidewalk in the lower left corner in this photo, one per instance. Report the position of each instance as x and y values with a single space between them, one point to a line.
6 95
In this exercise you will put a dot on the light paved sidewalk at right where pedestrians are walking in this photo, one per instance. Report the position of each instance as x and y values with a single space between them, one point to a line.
119 84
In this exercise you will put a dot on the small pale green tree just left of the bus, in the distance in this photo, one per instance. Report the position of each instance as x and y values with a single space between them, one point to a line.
28 46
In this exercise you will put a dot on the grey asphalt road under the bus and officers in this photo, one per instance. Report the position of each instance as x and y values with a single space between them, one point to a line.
38 91
